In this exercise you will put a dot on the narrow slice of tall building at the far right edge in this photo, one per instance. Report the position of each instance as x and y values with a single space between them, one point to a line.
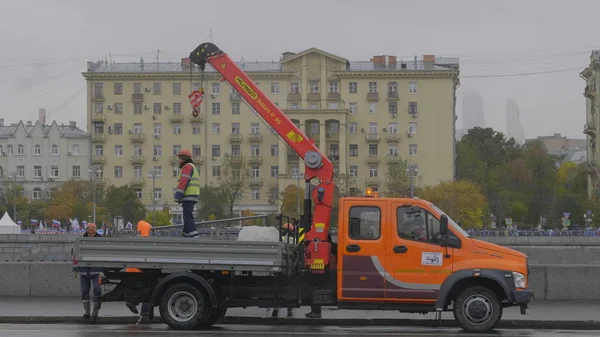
591 75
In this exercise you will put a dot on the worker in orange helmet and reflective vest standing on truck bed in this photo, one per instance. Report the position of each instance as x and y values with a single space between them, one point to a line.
188 191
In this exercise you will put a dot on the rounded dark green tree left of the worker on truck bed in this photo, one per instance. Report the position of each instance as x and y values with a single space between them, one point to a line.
122 201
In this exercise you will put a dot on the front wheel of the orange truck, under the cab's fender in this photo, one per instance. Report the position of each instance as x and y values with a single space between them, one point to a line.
477 309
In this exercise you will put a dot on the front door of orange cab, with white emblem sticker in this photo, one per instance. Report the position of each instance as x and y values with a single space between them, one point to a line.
417 264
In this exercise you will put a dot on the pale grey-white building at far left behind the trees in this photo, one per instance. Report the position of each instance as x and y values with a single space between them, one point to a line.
39 156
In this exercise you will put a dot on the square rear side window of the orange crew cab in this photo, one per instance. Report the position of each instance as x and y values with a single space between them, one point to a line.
365 223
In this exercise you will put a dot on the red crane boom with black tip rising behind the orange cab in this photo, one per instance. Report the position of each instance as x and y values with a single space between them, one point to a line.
314 226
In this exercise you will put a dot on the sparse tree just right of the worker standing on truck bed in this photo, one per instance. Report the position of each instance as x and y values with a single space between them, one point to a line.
233 180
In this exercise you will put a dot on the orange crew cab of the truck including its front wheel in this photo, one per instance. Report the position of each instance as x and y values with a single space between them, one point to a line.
407 254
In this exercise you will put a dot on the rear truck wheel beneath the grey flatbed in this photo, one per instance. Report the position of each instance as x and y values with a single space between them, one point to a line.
184 307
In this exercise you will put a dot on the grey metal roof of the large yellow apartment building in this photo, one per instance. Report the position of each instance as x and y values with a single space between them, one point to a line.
440 64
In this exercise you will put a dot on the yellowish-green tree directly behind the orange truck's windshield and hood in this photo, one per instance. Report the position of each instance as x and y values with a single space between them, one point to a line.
462 200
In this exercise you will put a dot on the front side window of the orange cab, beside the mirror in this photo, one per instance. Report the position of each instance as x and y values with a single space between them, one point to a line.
417 224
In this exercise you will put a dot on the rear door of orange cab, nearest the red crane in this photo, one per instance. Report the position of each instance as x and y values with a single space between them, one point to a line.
361 247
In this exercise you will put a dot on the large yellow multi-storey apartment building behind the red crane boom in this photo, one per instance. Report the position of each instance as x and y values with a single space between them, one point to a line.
362 115
